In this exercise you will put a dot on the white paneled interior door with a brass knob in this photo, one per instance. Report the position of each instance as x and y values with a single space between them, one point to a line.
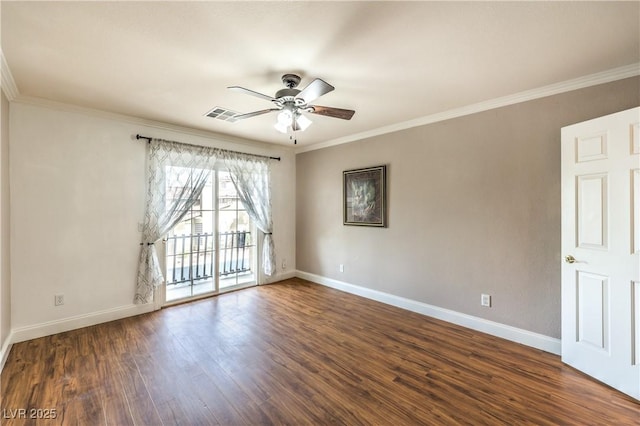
601 249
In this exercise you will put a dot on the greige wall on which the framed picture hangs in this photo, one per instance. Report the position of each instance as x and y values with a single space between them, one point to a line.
474 207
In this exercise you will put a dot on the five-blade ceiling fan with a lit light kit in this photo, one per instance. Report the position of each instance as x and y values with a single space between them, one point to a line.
292 102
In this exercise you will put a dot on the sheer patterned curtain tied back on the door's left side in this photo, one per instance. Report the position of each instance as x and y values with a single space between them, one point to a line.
168 202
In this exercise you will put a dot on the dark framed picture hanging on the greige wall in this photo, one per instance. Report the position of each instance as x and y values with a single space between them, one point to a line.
364 196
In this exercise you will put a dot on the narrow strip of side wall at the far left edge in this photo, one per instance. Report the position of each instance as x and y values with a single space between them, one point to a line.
5 276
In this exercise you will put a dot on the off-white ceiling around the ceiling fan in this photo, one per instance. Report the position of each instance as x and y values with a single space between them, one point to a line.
390 61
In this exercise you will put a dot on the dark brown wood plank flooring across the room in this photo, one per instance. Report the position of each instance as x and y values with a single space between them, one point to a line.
300 354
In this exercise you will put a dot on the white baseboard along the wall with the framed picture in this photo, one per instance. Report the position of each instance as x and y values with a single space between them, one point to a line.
535 340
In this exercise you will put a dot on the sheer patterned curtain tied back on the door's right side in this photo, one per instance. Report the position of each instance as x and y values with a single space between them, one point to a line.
251 175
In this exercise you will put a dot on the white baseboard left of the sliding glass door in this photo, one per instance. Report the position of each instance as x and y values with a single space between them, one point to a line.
35 331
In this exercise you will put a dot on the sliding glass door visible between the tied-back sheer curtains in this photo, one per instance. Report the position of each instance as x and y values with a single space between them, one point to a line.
212 249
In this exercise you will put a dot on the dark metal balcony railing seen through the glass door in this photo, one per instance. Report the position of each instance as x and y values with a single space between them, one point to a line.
191 257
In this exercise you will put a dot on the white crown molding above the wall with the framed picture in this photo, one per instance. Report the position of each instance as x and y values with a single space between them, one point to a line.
603 77
